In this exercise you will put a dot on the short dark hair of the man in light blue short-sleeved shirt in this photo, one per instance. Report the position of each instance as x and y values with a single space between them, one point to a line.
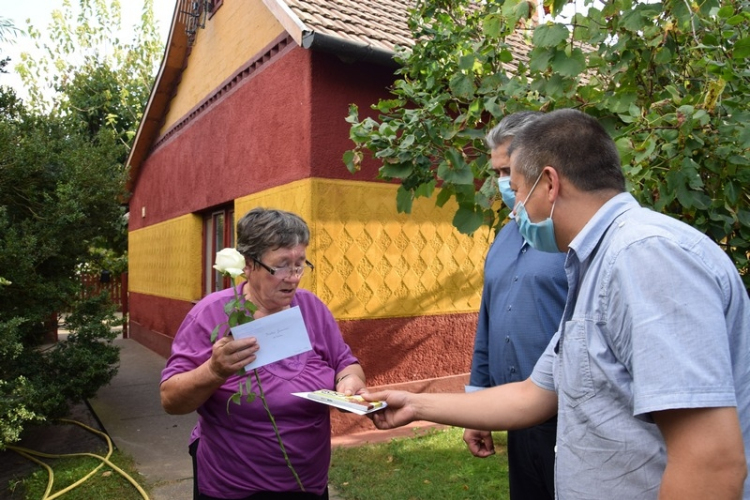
573 143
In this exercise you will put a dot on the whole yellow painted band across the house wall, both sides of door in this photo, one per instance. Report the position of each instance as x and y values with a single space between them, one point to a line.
369 261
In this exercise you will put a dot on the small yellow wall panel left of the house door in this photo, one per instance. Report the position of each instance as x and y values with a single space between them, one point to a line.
165 259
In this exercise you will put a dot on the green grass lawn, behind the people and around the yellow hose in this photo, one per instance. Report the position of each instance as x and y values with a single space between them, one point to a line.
431 465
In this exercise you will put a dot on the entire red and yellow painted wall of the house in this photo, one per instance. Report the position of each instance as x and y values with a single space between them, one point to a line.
404 288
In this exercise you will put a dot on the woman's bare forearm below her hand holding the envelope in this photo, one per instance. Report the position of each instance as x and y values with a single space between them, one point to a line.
185 392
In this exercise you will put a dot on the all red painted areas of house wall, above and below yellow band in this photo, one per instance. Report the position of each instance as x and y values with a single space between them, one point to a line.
244 144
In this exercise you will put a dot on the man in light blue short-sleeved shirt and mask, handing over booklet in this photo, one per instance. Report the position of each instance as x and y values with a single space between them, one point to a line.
650 369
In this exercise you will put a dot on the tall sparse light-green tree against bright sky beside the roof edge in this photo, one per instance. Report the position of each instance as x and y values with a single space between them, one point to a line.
87 73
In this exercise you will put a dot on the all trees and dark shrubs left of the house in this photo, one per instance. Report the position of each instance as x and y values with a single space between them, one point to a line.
62 178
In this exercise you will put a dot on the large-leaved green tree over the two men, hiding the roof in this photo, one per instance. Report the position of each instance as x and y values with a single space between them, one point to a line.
670 81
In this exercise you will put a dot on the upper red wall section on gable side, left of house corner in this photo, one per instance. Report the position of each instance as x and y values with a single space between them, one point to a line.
242 144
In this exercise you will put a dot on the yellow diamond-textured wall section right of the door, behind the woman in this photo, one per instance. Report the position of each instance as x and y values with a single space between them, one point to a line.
371 262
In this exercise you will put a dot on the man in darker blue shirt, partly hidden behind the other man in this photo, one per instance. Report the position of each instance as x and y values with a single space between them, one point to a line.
522 302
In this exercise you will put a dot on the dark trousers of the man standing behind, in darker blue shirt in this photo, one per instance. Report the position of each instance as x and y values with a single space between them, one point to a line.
531 462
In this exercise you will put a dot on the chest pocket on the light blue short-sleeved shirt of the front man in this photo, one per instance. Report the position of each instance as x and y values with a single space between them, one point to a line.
574 365
